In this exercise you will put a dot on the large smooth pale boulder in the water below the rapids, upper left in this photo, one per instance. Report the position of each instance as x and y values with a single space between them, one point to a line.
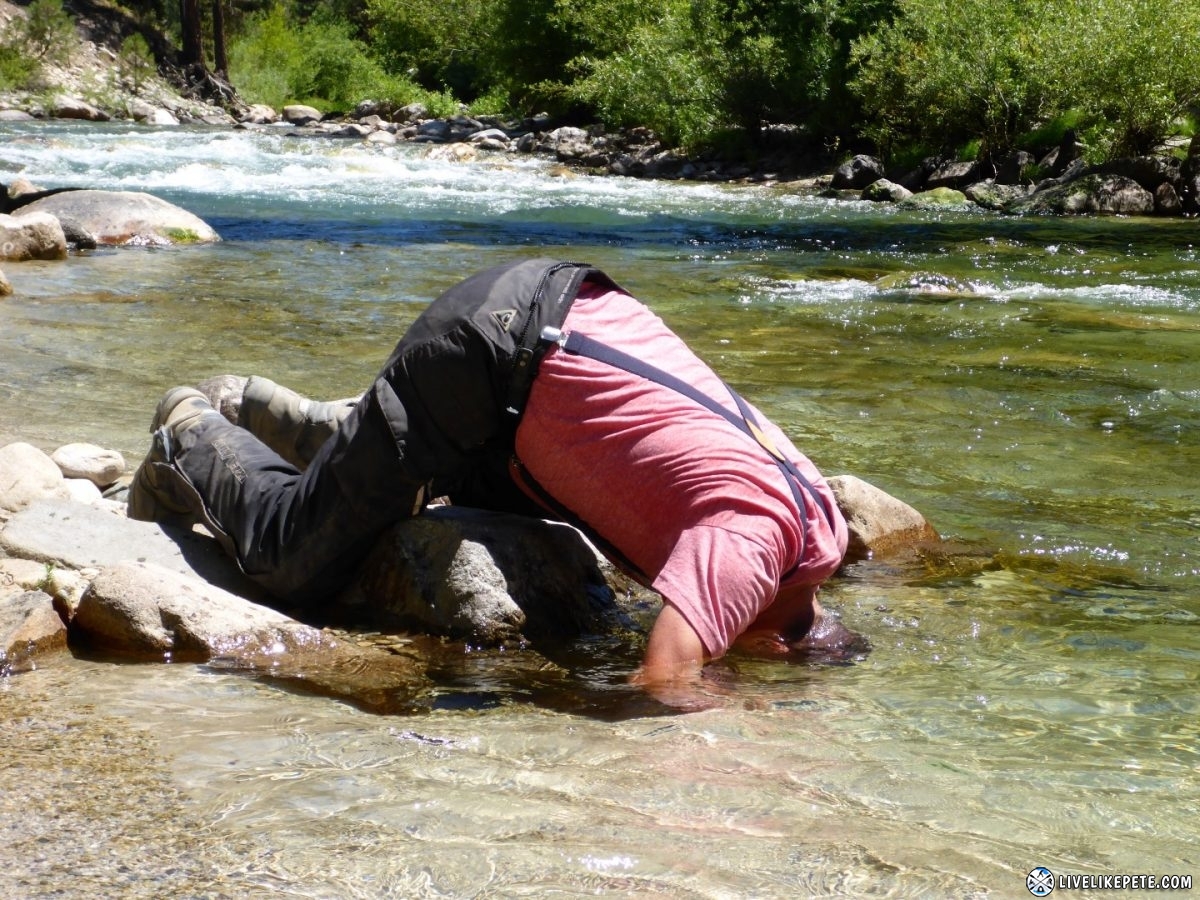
125 218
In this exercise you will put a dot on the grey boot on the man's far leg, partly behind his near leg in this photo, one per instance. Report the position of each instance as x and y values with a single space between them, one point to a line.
292 425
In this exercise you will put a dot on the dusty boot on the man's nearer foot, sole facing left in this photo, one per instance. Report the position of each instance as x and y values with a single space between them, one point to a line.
159 491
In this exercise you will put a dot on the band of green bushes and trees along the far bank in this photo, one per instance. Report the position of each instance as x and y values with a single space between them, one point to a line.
965 79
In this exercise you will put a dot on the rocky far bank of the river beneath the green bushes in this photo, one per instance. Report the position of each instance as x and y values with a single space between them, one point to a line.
97 87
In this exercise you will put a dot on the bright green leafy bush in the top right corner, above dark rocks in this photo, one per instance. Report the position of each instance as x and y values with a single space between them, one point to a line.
1121 73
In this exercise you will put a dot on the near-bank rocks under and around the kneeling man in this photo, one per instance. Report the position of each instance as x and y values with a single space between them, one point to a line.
77 575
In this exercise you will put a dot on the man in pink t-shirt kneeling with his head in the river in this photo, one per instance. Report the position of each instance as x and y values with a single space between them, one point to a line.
538 388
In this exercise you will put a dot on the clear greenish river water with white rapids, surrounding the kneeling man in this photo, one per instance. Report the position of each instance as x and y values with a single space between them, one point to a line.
1046 407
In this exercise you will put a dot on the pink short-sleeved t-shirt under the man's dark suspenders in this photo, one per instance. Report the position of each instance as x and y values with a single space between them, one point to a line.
686 496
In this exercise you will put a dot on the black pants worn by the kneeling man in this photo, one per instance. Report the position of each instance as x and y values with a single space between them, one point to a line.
439 415
